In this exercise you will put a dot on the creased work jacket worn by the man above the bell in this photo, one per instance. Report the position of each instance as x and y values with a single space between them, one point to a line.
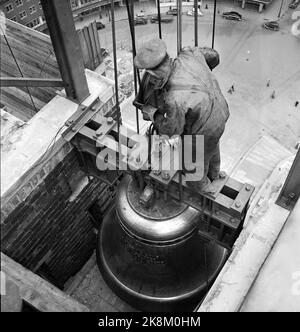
191 101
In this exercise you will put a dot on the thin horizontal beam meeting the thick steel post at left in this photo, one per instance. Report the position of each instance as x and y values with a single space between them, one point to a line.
30 82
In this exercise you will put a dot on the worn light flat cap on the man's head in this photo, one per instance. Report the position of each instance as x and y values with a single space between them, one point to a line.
150 54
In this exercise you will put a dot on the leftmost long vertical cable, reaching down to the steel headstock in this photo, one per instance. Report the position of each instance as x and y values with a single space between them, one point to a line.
113 29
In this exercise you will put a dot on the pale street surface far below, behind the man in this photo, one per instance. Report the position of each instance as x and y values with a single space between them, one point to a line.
250 56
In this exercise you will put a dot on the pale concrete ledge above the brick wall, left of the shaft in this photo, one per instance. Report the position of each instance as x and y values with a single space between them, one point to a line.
27 154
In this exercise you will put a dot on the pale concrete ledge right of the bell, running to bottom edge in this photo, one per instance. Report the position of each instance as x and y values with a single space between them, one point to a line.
251 249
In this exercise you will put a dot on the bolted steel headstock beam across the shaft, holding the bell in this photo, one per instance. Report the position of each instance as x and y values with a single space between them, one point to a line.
222 214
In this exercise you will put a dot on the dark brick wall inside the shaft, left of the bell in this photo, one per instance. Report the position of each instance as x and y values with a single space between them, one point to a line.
46 225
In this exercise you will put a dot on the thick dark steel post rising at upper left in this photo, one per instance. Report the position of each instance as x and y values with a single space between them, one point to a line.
59 18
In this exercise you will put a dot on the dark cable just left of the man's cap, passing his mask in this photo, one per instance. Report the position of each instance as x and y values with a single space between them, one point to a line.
136 75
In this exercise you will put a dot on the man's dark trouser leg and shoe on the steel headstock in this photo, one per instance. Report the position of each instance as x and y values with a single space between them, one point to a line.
211 165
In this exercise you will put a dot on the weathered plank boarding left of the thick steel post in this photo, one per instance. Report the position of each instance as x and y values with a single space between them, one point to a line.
36 58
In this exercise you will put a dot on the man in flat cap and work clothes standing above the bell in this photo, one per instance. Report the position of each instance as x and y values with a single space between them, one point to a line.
181 96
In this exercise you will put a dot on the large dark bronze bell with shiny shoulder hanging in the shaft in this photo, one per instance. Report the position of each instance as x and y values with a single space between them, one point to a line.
153 258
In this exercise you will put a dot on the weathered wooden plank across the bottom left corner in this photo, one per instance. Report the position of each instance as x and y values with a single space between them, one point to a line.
38 292
